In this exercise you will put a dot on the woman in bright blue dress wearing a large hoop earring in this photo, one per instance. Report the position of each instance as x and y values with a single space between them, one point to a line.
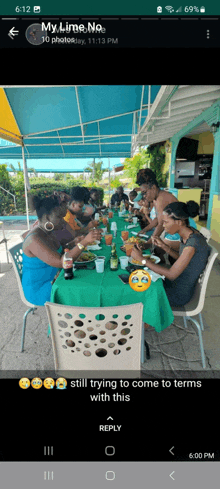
42 252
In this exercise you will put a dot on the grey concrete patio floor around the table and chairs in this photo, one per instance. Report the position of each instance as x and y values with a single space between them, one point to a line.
38 355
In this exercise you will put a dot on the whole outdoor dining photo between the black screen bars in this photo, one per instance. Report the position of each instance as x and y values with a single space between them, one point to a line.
110 231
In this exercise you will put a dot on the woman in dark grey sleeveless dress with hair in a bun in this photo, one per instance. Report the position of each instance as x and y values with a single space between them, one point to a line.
181 278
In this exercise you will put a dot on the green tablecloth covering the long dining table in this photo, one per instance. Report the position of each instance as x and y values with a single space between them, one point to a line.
92 289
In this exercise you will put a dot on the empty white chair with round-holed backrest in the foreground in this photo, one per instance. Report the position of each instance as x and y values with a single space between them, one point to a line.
96 340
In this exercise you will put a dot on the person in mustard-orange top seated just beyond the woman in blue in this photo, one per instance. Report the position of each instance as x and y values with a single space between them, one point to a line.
74 207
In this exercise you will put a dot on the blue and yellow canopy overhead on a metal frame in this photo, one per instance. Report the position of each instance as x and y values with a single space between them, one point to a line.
83 121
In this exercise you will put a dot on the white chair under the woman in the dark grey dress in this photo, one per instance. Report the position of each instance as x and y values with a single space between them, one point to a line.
195 305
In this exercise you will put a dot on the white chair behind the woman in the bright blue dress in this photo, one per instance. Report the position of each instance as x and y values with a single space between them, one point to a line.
16 258
